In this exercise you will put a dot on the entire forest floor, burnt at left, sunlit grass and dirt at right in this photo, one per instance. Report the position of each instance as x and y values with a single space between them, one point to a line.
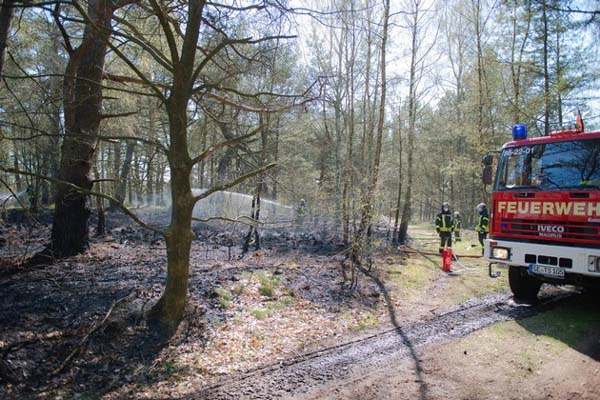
278 323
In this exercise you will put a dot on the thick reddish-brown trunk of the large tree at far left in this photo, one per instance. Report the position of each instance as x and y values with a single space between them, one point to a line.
83 107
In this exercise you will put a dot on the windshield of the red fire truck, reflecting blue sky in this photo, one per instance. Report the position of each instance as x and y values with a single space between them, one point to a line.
550 166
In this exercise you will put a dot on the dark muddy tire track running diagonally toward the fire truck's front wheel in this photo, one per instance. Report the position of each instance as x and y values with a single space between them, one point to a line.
299 375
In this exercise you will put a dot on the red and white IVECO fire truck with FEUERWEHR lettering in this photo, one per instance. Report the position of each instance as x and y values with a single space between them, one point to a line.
545 223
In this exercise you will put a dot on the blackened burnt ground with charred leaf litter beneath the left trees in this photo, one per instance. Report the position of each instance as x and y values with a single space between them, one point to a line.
54 339
